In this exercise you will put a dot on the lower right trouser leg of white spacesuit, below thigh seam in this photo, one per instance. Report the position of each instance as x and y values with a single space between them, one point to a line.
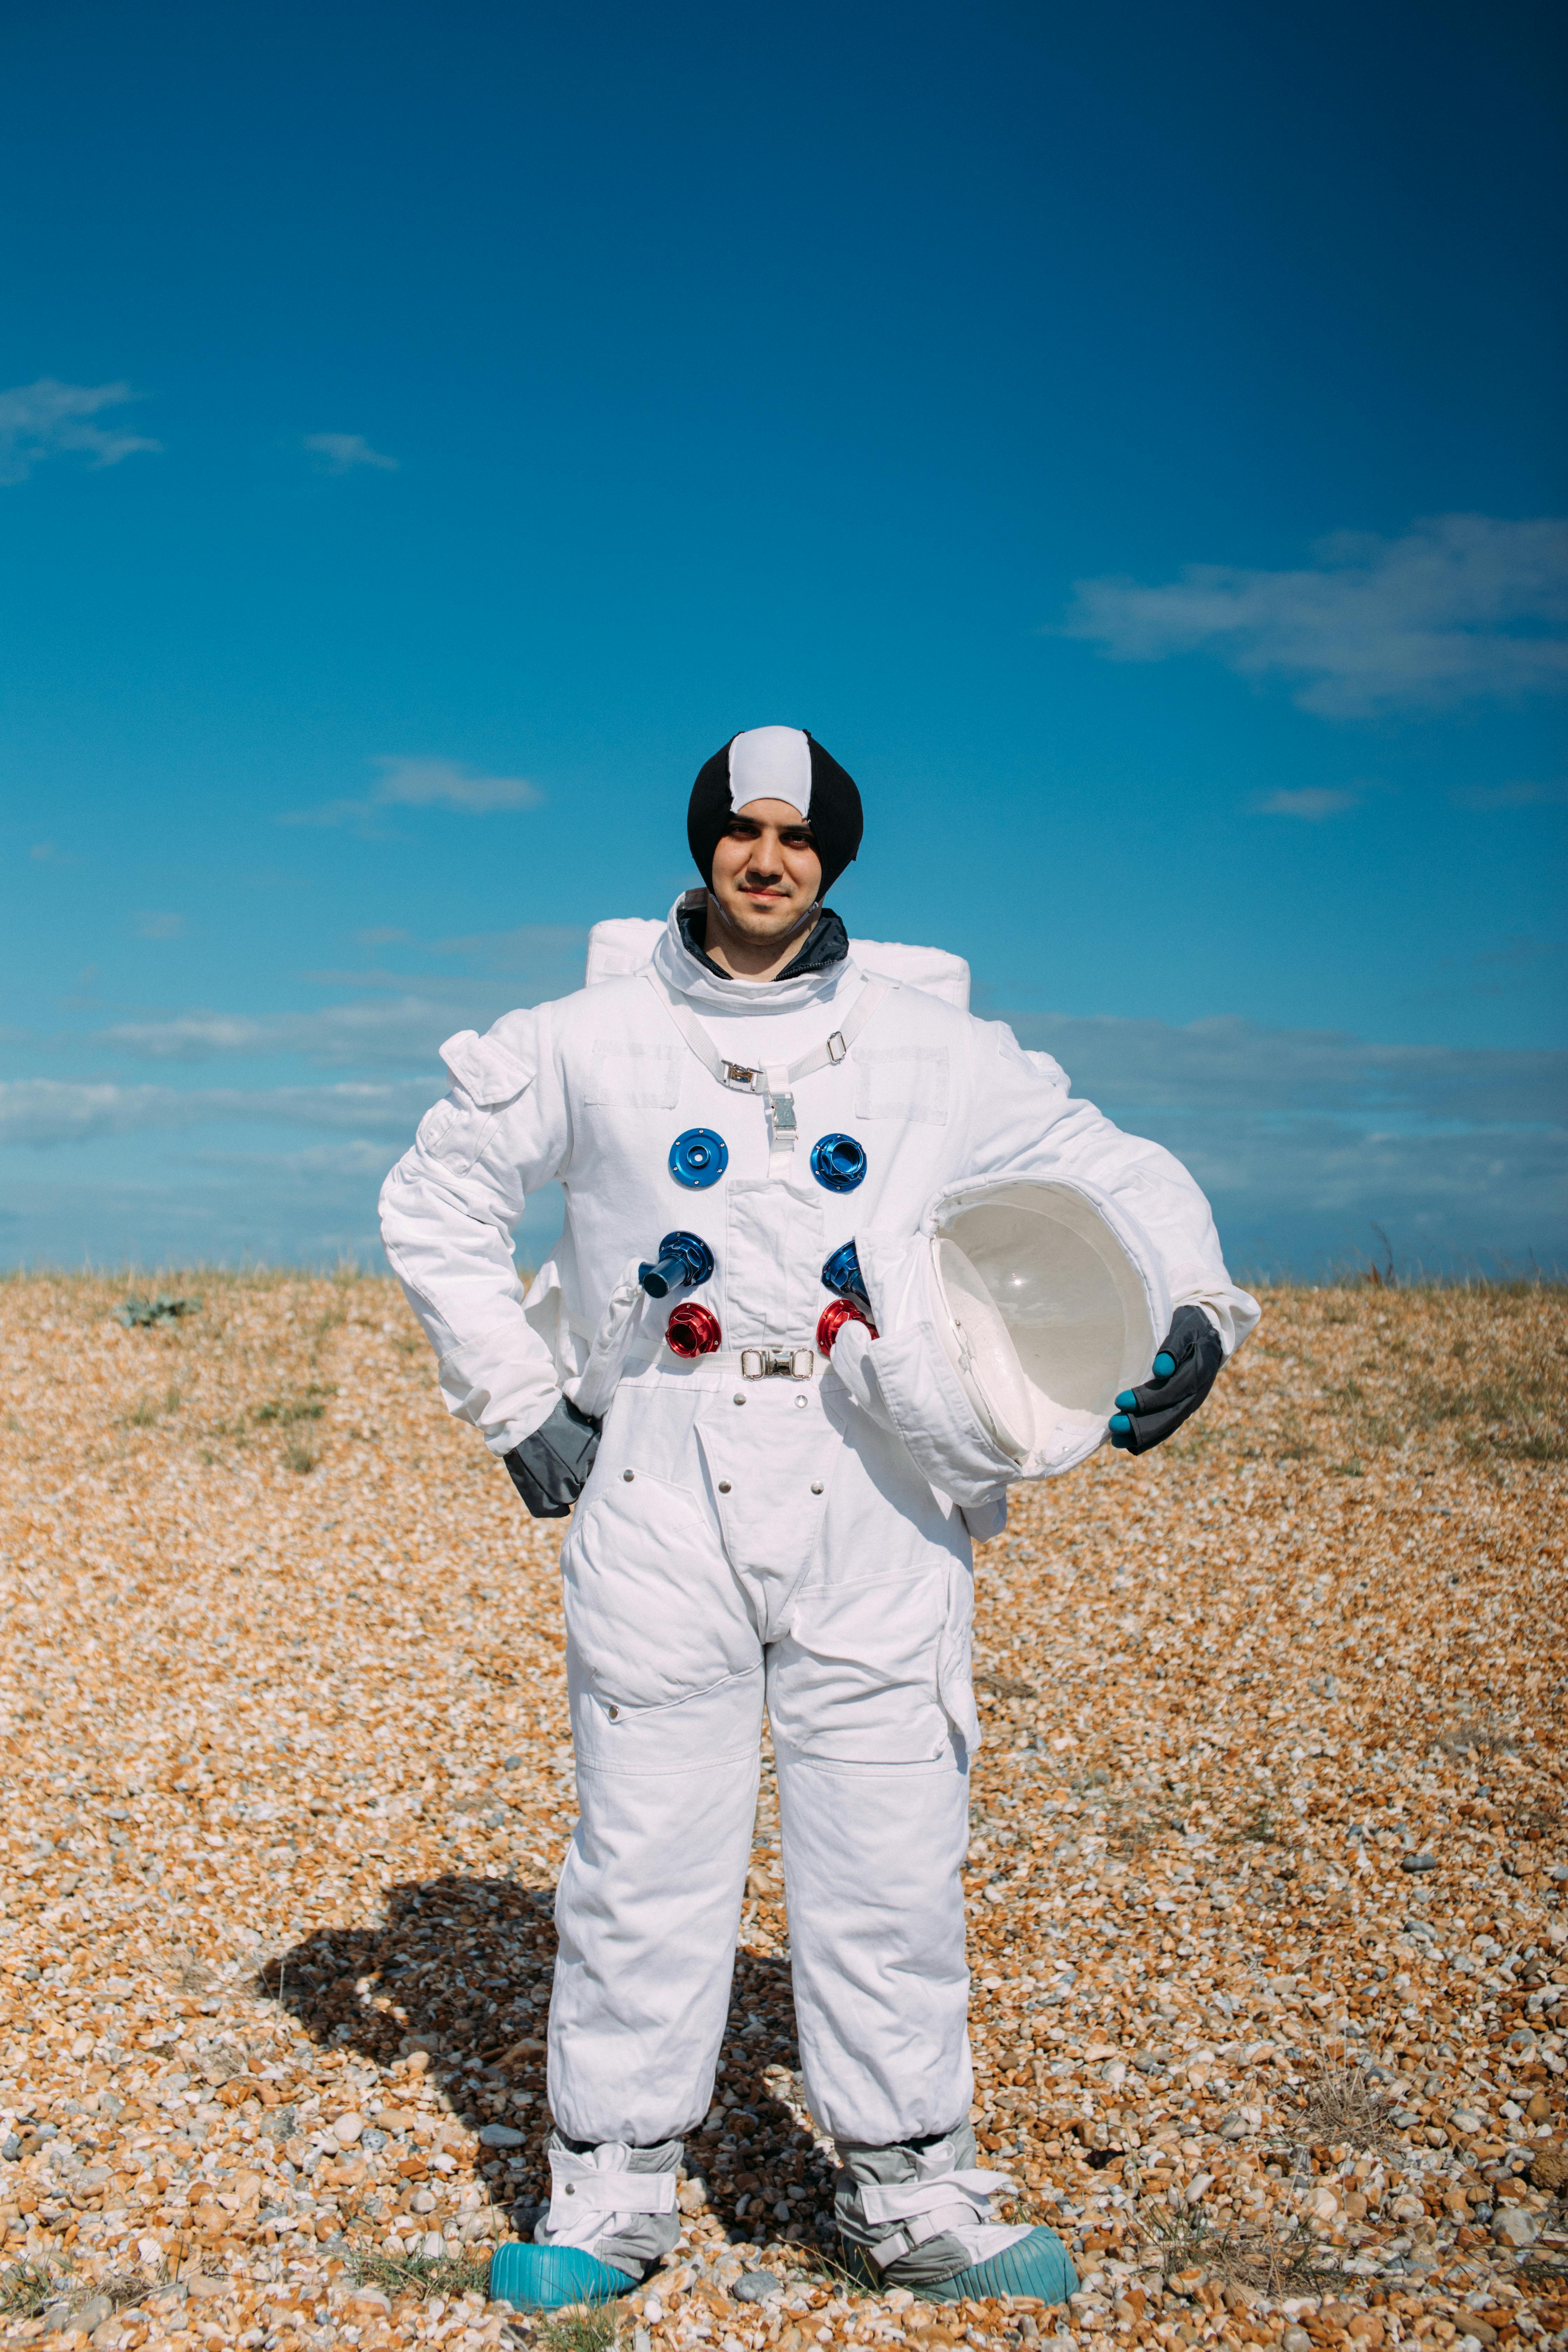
873 1880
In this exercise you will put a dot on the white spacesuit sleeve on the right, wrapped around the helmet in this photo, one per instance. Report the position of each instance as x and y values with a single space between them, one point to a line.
1028 1123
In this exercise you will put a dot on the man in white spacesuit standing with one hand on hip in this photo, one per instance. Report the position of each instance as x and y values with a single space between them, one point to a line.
765 1518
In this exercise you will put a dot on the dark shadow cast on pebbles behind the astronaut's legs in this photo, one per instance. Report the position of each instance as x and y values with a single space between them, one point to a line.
462 1970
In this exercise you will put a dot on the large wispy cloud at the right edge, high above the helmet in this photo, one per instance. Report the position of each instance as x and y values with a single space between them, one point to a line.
1461 608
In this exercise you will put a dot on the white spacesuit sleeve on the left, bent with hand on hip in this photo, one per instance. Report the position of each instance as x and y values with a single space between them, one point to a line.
448 1217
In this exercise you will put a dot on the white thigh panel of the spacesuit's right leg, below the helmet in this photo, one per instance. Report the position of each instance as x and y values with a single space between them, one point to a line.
857 1676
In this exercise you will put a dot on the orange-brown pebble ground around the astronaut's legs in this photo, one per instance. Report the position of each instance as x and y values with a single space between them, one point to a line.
1268 1876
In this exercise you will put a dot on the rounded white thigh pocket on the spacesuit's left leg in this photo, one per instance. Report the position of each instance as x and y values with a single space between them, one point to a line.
652 1603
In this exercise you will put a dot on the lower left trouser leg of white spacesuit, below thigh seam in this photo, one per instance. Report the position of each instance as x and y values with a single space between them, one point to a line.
648 1911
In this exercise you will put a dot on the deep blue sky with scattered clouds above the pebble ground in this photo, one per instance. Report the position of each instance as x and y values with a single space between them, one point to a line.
1127 439
